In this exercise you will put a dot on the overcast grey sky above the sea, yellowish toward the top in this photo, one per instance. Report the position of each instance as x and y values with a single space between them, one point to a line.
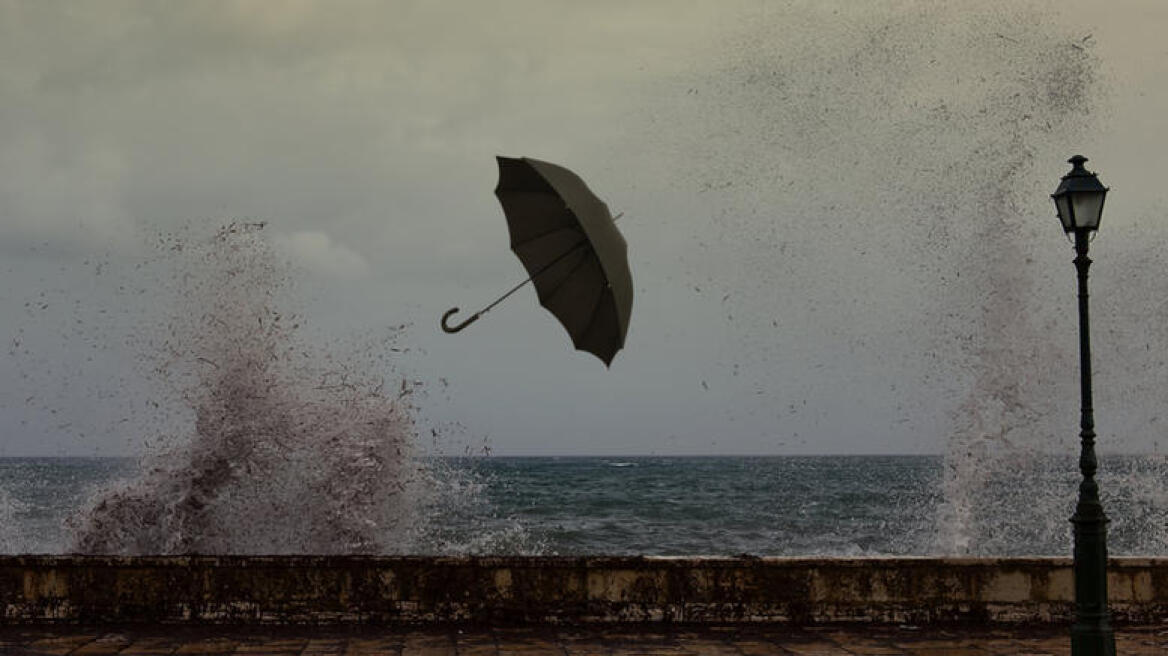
838 218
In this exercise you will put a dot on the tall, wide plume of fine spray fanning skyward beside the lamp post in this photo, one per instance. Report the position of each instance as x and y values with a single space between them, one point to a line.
879 176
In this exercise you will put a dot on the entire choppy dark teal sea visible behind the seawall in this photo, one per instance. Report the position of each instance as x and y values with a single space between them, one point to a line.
655 506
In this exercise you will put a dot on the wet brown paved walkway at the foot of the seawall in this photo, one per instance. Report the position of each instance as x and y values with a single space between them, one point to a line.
590 641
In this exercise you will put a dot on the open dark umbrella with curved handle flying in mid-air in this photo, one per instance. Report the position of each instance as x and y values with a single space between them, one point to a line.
569 245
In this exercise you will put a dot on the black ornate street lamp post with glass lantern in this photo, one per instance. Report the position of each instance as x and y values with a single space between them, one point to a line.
1080 204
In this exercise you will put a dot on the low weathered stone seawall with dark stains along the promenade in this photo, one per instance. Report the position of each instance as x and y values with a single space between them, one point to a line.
565 590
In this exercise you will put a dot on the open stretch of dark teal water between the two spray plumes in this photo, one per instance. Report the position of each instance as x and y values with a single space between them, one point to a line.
717 506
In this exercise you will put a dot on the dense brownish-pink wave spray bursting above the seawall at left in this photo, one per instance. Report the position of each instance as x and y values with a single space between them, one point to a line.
288 449
